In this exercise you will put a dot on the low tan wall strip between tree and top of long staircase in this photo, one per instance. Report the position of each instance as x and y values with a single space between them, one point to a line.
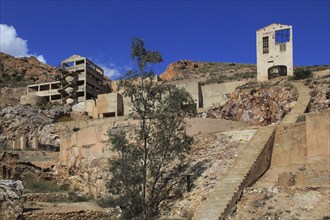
210 125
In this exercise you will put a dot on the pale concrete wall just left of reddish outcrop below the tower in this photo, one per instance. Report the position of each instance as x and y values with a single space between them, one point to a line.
216 93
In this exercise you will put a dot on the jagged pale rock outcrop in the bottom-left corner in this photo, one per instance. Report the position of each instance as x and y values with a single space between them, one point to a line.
11 206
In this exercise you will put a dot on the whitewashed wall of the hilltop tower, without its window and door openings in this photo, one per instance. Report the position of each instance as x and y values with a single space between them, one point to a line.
275 56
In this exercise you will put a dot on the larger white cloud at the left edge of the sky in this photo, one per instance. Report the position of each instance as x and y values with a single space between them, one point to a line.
13 45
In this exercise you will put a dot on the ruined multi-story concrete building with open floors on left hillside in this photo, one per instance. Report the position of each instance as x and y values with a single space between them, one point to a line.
83 80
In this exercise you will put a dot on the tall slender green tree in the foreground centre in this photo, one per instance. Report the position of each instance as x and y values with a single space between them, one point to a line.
139 179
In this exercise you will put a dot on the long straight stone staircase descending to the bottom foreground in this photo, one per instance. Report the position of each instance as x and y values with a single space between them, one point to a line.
247 168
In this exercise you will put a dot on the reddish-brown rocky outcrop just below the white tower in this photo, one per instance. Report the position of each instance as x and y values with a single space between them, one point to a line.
260 104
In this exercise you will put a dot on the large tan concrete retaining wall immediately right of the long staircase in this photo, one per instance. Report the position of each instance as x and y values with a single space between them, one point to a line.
290 156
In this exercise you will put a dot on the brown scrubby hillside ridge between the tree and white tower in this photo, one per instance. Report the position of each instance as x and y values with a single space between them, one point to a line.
207 72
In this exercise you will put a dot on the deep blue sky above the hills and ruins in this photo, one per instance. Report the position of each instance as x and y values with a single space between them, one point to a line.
217 31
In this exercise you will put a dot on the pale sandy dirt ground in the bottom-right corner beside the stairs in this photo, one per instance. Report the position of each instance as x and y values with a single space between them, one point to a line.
283 203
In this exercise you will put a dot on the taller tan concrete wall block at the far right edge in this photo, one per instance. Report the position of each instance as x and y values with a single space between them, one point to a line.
318 136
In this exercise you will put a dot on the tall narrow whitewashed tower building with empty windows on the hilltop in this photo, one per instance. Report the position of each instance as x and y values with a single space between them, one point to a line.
274 51
